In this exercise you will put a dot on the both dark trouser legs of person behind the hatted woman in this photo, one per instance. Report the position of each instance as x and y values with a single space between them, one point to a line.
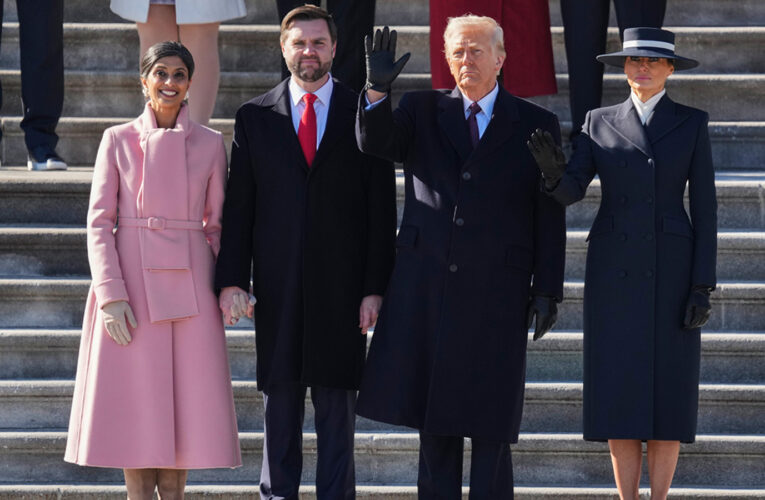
585 25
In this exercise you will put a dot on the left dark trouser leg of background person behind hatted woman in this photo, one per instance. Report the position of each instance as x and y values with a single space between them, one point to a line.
584 30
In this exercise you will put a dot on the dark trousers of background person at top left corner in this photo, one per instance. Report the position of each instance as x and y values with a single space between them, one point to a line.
41 42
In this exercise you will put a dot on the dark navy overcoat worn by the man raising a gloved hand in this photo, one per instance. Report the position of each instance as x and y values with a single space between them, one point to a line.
448 354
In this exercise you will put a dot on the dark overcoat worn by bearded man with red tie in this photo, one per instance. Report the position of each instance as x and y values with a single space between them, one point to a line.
314 240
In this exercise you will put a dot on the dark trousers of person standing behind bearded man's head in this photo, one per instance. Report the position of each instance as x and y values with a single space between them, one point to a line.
354 20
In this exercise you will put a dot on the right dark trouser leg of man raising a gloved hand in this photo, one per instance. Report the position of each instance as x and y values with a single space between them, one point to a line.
491 471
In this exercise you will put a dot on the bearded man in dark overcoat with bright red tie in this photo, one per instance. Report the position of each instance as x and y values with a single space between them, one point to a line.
316 228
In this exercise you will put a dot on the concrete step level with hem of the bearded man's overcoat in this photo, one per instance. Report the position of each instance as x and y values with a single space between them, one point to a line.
548 407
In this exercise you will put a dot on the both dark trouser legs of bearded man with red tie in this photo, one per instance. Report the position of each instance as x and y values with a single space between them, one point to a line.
335 422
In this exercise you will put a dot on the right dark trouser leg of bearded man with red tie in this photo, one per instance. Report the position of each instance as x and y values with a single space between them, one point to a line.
335 422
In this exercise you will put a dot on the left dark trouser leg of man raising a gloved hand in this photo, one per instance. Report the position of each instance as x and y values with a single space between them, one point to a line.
440 471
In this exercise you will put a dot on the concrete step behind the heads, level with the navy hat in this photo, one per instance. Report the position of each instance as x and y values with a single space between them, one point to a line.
114 46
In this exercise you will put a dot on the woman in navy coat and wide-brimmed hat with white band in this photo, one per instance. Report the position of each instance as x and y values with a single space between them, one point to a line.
649 268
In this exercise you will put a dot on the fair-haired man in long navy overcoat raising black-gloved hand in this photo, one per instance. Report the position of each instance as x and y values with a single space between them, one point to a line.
449 351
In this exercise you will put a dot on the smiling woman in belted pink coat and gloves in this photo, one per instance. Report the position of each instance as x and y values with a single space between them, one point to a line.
154 398
